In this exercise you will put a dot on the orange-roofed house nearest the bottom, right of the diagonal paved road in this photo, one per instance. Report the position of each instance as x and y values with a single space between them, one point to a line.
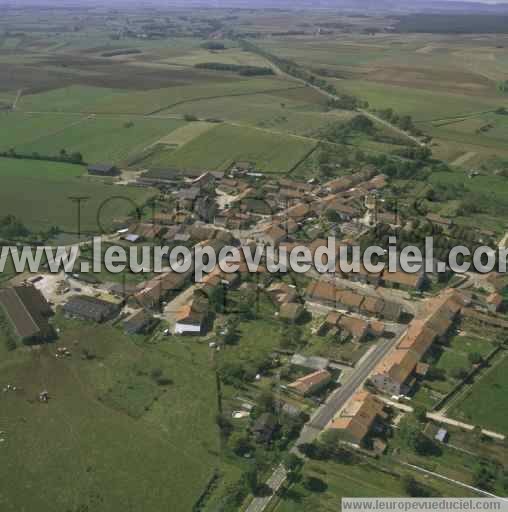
357 417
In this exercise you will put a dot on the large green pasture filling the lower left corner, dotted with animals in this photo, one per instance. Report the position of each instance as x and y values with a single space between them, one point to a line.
110 435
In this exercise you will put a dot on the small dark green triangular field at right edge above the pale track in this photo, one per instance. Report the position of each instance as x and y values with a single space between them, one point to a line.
485 403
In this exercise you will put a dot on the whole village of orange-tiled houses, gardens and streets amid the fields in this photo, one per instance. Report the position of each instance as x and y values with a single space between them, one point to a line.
350 354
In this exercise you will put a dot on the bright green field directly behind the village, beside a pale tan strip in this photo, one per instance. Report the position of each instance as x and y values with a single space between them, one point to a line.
219 148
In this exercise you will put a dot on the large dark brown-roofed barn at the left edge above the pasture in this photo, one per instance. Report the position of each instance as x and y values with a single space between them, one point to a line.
28 312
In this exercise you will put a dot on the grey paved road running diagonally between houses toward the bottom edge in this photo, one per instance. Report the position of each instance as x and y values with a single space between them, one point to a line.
326 412
